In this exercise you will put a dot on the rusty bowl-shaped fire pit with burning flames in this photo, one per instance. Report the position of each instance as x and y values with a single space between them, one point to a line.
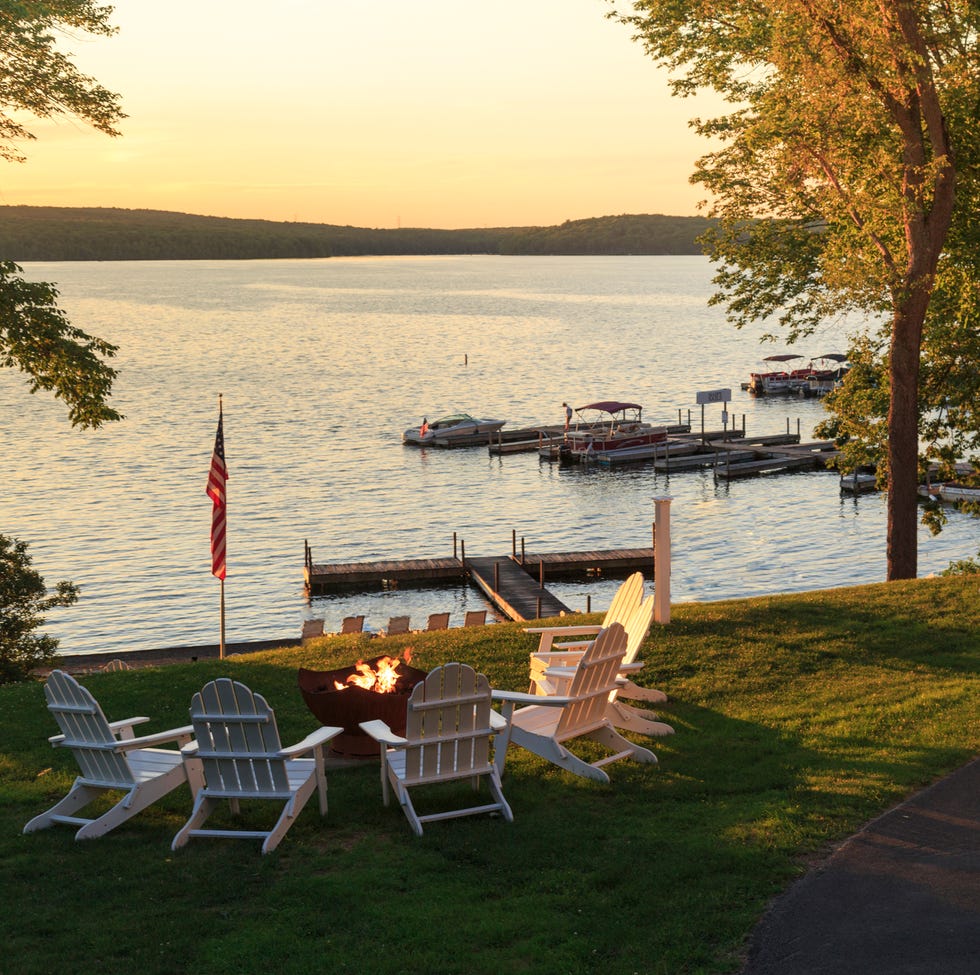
348 696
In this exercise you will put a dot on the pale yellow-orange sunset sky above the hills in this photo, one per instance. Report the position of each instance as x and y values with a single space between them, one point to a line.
376 113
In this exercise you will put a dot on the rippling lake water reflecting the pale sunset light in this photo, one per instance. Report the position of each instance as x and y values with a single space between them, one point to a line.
322 364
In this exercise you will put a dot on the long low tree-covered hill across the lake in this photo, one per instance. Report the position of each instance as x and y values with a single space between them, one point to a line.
106 234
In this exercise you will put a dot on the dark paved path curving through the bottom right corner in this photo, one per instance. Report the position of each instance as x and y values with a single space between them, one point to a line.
902 897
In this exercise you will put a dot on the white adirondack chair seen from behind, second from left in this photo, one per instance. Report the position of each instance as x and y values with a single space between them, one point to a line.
237 743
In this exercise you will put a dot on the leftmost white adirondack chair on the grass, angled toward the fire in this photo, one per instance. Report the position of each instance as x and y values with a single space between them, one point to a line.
110 758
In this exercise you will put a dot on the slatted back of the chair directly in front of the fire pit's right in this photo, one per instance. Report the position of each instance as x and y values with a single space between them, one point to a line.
448 725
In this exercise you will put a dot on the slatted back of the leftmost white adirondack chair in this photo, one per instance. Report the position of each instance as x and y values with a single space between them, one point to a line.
86 731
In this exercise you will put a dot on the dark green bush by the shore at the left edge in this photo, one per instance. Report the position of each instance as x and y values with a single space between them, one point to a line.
24 600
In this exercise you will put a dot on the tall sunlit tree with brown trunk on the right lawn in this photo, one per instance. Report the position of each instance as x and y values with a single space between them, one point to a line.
846 180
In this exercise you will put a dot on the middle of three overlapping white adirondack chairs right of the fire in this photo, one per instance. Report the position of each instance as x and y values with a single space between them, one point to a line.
551 673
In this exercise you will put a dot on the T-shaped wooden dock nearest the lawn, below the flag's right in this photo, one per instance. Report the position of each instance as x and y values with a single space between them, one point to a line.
513 583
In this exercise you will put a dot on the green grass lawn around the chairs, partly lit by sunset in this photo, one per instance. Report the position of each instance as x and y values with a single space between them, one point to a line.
798 718
